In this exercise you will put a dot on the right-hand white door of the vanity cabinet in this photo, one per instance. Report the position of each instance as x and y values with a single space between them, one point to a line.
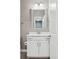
44 49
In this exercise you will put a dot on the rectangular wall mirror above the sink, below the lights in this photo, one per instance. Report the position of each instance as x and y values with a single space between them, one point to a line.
38 18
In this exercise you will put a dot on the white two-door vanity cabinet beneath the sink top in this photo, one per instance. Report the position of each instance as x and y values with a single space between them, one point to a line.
38 46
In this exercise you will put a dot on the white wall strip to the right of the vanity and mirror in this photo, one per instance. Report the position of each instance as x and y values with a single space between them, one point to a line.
53 29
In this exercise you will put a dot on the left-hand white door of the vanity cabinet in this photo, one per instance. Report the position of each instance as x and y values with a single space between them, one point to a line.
32 49
